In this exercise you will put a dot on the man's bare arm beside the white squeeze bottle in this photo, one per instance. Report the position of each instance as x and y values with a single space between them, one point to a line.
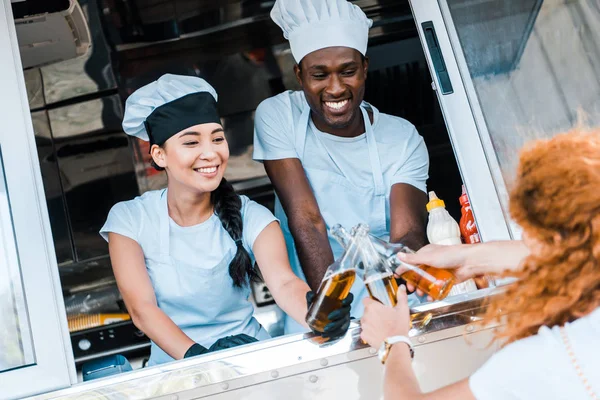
408 215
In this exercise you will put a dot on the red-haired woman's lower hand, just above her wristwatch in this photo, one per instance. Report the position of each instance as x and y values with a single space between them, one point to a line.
380 322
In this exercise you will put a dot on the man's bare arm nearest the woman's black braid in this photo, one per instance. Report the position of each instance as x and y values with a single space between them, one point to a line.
304 217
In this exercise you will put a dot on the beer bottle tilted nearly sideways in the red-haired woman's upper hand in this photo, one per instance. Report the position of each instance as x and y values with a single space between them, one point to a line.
435 282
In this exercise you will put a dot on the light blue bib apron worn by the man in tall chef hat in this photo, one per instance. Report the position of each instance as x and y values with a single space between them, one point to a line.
341 202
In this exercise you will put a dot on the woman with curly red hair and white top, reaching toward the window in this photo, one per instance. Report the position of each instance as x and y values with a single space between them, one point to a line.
551 316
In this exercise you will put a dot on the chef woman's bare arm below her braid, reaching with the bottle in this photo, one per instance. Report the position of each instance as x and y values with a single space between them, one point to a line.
287 289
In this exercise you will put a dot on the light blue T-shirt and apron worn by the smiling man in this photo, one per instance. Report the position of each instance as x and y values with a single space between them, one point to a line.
343 172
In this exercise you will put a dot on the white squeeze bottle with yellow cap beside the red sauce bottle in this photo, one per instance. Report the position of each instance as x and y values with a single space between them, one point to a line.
442 229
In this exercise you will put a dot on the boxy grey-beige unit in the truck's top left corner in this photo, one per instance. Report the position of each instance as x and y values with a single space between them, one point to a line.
49 37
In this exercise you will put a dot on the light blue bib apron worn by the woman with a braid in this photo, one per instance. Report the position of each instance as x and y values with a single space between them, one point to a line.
201 301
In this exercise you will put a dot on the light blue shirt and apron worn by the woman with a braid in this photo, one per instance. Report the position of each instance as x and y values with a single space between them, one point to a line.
189 271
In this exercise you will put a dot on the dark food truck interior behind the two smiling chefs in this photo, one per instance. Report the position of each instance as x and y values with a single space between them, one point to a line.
88 164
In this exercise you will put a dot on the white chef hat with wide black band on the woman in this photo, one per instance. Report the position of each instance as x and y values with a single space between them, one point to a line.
169 105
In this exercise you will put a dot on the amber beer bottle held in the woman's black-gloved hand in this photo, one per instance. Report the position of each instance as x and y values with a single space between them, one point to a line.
334 288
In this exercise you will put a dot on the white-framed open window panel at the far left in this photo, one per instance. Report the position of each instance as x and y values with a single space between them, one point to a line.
33 340
